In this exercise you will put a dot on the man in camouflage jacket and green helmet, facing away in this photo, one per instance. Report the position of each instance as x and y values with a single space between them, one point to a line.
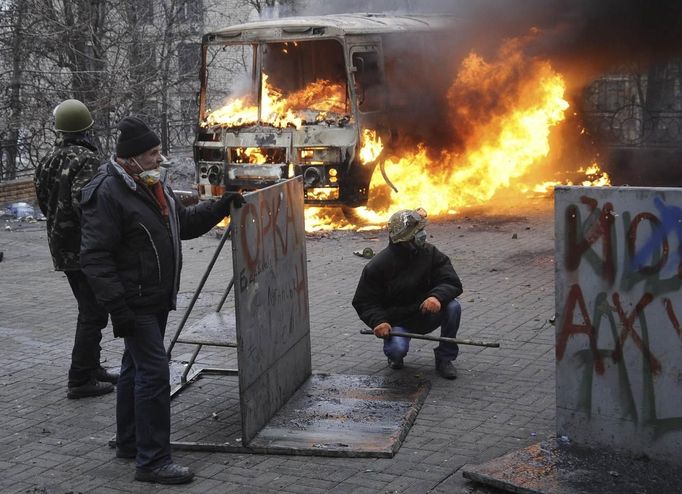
59 178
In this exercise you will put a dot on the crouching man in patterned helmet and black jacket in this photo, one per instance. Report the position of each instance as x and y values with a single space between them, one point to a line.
410 287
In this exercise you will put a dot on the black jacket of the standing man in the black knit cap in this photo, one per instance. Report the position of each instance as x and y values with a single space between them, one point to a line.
129 251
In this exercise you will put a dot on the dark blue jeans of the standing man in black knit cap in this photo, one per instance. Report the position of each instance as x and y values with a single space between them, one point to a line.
143 394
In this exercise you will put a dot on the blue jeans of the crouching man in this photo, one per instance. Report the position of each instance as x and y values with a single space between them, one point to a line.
396 347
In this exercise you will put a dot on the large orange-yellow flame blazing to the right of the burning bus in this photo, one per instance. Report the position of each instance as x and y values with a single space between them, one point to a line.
497 152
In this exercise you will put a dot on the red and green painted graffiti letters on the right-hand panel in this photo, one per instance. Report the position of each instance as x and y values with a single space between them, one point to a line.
623 274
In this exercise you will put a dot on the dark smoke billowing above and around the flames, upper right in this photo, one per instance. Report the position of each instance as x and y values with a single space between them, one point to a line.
583 40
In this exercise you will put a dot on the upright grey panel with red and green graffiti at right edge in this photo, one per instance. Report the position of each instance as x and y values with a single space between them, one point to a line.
619 304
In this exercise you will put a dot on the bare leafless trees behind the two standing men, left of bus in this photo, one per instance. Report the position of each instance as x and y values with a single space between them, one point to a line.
117 56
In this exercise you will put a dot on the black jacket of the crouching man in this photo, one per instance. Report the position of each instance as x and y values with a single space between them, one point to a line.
397 280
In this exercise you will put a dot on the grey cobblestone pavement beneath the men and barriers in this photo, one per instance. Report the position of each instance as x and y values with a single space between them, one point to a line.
502 400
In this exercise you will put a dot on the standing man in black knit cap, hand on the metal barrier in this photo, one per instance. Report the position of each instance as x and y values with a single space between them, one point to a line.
132 225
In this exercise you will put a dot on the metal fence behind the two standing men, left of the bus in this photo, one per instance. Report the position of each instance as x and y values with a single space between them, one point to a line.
19 154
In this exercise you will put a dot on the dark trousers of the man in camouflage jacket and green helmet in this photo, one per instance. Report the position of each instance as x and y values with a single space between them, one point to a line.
92 318
